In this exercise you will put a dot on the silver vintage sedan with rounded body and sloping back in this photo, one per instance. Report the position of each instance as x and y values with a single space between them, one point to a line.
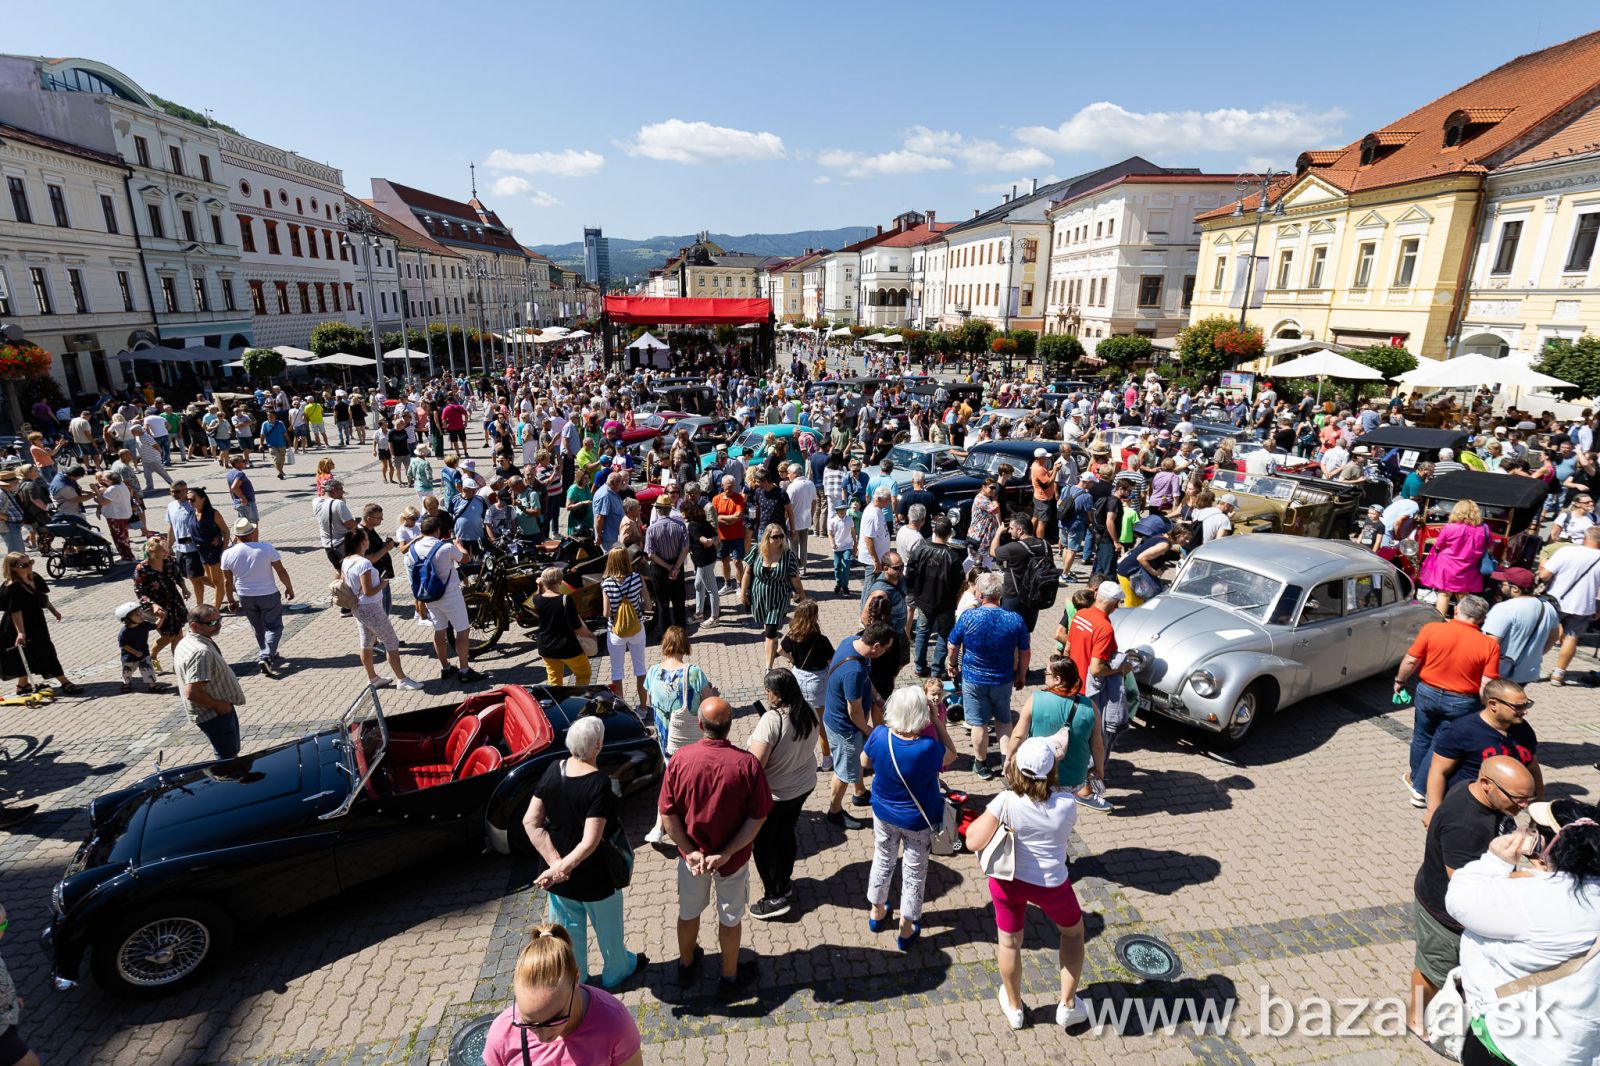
1258 622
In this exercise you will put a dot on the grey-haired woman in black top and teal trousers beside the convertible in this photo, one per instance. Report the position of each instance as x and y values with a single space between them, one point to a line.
574 825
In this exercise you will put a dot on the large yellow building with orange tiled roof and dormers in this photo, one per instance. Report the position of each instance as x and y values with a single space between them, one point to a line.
1374 244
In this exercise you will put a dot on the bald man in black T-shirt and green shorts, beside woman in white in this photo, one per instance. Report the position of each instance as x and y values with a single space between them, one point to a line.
1471 816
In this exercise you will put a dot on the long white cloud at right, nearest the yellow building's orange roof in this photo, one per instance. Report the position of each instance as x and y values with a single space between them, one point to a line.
1105 127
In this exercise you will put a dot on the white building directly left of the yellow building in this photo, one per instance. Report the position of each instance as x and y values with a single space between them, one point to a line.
1124 255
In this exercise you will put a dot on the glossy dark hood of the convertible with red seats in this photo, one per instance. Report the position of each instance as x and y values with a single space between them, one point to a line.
239 801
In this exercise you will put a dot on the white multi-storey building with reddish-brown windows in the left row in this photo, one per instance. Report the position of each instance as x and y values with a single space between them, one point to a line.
295 266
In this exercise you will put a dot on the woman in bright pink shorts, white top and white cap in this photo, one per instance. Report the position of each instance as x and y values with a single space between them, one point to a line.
1041 820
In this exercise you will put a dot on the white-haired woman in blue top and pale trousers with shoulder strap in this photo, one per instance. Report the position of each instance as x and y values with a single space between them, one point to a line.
906 799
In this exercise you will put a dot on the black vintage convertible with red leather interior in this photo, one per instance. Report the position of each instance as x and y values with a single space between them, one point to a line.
186 857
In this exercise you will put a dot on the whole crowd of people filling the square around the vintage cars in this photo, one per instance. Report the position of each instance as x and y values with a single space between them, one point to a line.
697 540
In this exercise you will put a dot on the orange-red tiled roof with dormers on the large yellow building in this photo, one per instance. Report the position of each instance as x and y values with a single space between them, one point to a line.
1514 105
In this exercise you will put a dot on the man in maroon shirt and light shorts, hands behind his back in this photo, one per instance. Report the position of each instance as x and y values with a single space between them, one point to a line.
714 799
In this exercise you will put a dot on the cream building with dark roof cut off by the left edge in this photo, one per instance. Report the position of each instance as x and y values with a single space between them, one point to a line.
70 263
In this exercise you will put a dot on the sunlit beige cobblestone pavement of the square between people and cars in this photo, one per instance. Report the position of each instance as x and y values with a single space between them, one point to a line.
1287 868
